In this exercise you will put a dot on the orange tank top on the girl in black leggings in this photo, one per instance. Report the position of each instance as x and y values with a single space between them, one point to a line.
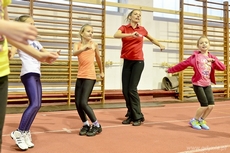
86 66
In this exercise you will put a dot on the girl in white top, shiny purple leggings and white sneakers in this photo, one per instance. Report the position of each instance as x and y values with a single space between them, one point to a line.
30 77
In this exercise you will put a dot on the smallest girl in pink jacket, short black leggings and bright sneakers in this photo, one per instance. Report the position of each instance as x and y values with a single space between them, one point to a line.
204 65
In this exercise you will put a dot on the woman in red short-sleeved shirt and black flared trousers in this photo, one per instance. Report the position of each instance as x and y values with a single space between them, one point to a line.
132 36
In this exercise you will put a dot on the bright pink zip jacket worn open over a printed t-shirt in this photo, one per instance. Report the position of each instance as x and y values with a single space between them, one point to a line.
192 61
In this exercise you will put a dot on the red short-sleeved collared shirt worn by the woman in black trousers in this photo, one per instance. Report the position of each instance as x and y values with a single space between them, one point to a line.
132 46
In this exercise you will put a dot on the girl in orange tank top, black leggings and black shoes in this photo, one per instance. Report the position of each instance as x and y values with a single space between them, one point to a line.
87 51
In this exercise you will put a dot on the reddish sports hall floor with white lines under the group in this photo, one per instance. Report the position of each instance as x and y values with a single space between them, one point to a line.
165 130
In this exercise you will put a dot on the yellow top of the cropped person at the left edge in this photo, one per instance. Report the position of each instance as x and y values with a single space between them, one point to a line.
4 60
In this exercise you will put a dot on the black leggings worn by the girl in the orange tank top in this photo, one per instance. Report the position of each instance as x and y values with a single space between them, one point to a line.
83 89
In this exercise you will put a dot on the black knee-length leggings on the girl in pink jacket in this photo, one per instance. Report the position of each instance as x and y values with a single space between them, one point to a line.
204 95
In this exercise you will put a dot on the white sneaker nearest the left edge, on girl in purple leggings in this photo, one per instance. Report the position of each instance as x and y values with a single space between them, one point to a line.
18 137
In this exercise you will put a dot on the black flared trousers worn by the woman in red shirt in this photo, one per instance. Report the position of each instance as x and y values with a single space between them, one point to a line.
131 74
